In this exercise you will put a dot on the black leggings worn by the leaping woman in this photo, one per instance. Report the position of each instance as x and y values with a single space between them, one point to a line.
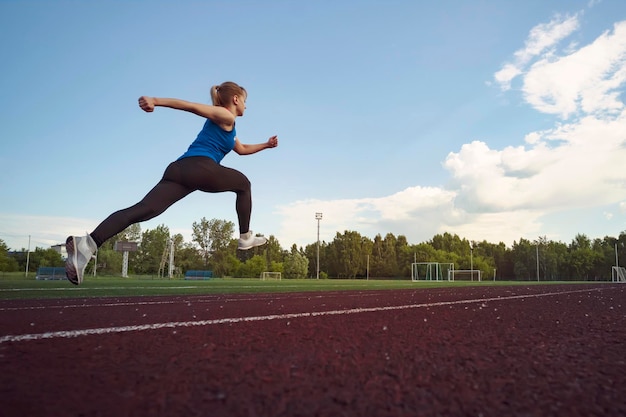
181 178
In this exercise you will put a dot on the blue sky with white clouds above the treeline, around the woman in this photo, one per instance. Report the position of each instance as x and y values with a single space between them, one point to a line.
493 119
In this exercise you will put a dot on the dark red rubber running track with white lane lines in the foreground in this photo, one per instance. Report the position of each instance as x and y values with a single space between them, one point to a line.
478 351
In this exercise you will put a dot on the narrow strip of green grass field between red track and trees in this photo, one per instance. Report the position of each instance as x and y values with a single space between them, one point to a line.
16 287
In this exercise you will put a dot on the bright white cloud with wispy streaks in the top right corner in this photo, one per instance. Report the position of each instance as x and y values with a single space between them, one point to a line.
576 81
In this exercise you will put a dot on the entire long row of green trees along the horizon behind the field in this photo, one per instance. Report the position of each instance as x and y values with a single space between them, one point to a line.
348 255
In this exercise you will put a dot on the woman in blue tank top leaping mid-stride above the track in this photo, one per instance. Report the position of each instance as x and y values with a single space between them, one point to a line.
197 169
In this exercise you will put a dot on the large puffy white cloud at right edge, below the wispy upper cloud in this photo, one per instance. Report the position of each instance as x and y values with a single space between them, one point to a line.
583 169
